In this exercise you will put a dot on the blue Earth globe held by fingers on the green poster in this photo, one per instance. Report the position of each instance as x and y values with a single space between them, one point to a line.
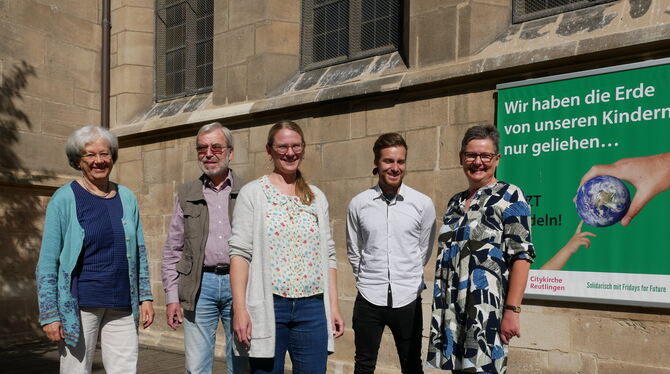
602 201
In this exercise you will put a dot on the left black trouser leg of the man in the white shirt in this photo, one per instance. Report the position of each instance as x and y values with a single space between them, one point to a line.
368 324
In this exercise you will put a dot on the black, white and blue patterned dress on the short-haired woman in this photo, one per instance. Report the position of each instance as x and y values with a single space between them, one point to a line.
476 249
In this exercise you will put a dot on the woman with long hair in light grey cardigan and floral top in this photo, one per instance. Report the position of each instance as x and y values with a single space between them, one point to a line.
283 265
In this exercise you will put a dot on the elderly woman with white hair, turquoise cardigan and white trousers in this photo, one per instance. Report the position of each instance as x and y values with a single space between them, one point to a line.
92 273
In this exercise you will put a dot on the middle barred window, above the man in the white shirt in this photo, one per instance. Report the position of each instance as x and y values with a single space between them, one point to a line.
336 31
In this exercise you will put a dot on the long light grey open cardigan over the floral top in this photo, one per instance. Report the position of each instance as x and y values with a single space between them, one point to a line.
249 241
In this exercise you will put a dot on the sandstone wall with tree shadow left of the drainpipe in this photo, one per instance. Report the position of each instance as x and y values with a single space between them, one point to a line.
49 86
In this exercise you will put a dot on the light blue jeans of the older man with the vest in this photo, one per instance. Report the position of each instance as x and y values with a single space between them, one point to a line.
214 302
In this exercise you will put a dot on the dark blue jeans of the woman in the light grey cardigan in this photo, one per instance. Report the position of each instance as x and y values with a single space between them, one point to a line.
301 328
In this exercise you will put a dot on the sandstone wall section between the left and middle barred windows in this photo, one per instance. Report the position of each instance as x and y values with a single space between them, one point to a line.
256 46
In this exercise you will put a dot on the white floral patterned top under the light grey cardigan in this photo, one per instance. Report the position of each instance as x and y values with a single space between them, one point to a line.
293 237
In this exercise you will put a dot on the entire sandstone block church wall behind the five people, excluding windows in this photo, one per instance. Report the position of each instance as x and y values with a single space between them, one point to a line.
440 83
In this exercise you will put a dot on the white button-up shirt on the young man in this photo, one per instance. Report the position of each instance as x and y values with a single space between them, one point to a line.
389 243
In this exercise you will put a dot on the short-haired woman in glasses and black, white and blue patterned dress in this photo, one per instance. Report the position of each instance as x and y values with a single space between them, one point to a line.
485 252
